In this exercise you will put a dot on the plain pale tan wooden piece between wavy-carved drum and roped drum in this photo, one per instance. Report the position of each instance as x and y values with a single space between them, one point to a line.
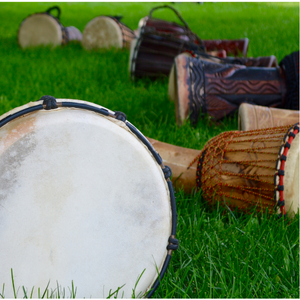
251 117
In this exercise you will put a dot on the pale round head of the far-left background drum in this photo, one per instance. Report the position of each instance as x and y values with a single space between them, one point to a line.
39 29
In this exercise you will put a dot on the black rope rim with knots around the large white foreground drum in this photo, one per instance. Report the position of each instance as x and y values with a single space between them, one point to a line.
49 103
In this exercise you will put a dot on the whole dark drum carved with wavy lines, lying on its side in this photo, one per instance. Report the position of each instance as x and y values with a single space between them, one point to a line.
199 86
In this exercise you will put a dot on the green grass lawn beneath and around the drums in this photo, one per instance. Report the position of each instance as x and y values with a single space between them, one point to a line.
222 254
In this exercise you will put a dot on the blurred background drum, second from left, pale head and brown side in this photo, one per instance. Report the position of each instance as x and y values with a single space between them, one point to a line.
106 32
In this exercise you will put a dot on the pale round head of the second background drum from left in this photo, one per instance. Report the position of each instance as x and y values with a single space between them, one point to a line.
102 32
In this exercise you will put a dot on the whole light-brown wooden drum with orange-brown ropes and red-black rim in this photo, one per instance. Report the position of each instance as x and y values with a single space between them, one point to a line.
242 170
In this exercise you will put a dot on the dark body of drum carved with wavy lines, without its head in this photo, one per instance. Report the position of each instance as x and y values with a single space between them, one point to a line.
231 85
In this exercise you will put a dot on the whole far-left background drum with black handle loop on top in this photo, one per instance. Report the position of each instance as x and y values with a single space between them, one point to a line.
46 29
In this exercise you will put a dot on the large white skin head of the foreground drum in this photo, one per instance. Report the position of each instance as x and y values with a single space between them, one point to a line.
82 200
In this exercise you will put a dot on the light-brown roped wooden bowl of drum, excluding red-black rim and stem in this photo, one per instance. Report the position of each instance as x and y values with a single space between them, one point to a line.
238 168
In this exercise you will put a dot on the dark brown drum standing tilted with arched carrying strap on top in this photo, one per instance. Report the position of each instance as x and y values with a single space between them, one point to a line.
158 42
